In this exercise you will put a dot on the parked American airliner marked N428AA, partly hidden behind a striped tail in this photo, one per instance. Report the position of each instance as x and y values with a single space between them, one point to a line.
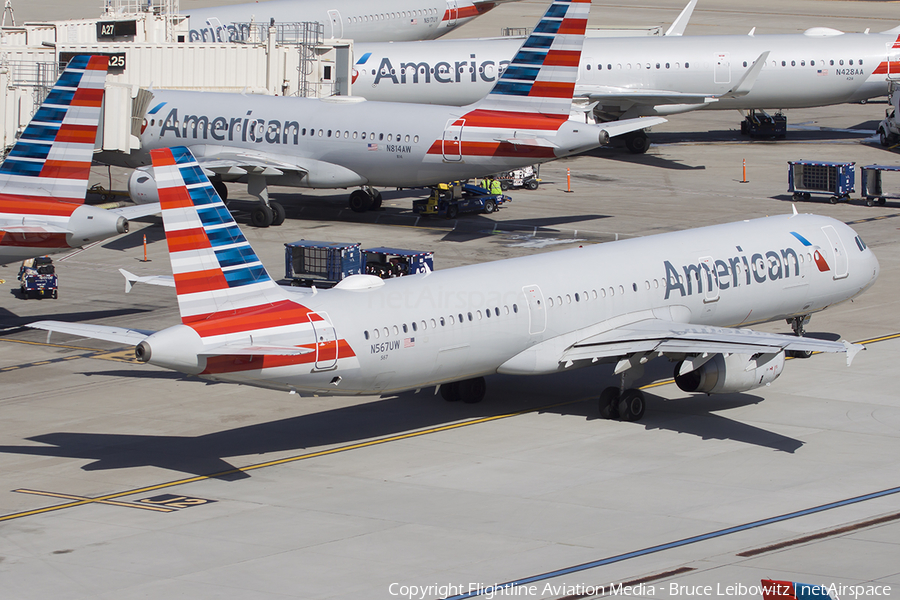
623 77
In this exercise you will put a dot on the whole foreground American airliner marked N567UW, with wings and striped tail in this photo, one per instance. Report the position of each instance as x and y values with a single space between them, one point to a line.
680 295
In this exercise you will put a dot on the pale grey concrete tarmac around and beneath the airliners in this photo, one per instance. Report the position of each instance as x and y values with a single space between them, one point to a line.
125 481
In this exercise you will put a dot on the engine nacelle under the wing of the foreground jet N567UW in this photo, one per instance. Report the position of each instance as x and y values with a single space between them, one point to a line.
733 373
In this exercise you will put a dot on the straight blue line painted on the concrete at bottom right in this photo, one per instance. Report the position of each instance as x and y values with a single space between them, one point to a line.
495 589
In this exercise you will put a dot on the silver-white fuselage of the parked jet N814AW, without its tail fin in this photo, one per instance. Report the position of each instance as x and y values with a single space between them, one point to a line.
345 143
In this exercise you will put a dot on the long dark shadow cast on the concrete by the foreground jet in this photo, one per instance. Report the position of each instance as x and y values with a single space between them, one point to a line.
208 454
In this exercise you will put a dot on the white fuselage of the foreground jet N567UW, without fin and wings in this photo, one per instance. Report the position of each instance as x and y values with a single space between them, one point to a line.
522 315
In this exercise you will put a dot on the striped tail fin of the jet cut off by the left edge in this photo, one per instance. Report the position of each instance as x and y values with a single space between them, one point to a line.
52 158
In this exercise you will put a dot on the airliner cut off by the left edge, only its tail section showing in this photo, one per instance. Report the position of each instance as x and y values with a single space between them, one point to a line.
43 180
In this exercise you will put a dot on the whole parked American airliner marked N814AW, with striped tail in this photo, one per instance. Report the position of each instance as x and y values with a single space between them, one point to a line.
348 142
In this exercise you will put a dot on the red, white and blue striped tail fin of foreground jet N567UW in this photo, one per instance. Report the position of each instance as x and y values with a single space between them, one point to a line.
217 274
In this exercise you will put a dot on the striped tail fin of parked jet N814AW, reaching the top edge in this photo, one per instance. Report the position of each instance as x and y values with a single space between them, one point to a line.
541 77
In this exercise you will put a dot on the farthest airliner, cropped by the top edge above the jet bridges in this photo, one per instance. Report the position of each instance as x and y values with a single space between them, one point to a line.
360 20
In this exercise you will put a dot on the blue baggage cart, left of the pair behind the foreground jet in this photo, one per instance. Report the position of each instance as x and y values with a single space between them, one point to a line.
321 264
